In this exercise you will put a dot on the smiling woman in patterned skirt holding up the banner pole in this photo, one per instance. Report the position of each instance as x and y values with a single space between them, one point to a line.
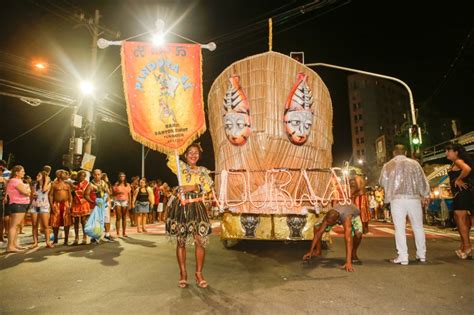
187 220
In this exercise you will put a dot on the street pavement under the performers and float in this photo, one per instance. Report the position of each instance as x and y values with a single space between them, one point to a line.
139 274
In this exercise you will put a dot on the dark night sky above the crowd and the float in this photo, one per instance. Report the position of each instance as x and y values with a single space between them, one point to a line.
419 42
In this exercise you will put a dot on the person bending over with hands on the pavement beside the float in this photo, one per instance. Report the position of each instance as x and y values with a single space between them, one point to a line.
349 217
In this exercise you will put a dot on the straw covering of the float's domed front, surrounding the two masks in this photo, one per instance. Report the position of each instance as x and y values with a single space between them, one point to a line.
267 79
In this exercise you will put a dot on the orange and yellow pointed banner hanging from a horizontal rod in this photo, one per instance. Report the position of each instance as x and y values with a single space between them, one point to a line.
163 90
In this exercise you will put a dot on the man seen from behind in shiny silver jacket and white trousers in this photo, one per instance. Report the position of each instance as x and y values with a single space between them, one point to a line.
406 188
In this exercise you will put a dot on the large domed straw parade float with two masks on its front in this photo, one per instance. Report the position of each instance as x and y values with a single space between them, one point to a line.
269 112
